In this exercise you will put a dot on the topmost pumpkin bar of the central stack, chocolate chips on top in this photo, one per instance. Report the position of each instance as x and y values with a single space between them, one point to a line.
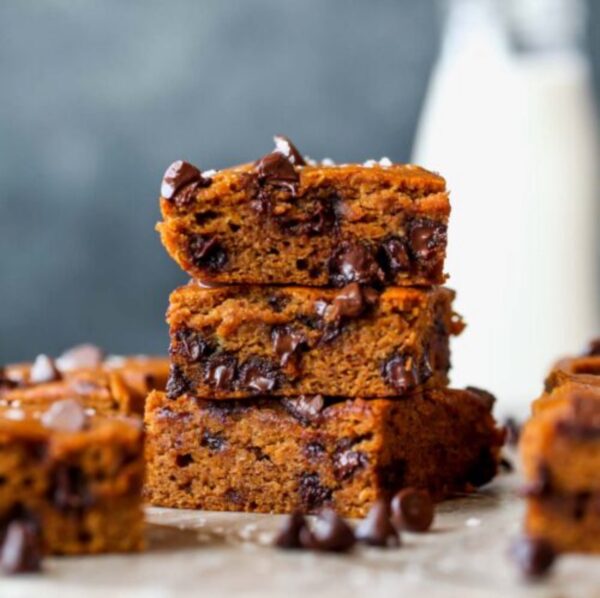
282 220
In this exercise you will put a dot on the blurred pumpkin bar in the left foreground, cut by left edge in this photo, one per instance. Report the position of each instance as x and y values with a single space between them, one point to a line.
71 480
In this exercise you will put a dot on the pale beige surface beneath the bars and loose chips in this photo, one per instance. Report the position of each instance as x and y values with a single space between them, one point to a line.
224 554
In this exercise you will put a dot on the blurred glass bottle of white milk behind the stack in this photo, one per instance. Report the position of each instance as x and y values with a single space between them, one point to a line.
509 120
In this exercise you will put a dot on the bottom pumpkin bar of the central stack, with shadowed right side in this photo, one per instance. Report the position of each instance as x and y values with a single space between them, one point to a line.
280 455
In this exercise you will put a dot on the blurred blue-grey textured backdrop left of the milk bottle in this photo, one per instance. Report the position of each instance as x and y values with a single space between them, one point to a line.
97 98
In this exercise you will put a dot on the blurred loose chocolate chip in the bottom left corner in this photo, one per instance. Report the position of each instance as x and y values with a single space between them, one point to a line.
21 549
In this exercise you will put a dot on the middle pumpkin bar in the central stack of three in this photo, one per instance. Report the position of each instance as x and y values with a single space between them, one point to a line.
242 341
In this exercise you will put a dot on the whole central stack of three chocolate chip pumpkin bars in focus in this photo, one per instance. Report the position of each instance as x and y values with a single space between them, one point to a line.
310 350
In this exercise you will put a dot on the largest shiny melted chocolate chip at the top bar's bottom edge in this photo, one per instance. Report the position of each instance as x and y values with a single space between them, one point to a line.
354 262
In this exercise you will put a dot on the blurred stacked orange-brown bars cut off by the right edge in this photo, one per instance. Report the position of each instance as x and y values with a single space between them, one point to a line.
560 449
